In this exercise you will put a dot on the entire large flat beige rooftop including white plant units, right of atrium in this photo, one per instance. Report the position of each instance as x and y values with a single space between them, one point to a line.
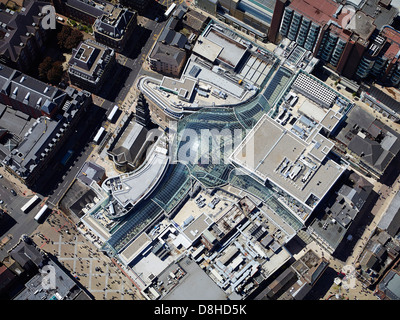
277 155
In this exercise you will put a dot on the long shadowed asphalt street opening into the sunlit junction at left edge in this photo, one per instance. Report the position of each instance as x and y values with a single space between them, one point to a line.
55 181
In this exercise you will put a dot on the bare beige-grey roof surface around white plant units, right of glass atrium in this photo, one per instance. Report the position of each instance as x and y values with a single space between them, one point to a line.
268 145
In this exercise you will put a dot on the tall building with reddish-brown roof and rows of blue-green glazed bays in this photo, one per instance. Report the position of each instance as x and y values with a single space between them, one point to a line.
336 34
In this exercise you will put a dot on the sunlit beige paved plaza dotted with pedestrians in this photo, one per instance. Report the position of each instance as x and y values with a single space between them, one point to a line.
95 271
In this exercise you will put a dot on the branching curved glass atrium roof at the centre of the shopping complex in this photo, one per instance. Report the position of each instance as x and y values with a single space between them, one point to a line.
193 165
